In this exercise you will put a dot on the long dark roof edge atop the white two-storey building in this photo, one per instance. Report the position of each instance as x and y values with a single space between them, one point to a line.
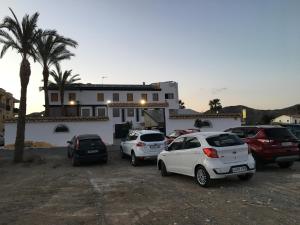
109 87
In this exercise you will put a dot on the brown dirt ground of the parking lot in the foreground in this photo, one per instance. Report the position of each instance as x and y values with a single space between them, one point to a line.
48 190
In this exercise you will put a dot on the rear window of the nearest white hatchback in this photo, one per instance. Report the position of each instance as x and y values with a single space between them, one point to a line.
224 140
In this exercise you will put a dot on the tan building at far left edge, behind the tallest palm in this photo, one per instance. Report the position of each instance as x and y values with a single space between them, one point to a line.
7 110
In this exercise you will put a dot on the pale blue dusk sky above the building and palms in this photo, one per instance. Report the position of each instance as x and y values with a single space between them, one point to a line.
240 51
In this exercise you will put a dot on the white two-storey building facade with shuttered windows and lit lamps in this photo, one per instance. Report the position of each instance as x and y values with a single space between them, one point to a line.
121 103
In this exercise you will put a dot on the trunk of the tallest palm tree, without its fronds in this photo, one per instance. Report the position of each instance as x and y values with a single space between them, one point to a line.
20 136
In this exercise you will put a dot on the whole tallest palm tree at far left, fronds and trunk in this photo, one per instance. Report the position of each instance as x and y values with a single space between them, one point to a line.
21 37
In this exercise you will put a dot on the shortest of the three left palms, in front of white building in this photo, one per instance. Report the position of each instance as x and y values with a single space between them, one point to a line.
61 80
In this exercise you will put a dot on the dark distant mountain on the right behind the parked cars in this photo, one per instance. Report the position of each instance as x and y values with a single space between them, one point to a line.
258 116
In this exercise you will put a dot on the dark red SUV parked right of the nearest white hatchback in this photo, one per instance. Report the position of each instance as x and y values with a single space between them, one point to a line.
270 144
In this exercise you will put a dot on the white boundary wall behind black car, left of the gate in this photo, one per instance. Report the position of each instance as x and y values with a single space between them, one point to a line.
44 131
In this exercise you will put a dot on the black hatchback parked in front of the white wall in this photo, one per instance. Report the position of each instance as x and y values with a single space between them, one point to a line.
87 148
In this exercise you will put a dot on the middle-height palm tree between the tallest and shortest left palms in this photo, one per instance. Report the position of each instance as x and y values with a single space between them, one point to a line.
50 50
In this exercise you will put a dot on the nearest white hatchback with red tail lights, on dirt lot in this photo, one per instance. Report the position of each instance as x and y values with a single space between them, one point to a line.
207 156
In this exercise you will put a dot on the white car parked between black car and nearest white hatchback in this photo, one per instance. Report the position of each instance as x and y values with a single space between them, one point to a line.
142 145
